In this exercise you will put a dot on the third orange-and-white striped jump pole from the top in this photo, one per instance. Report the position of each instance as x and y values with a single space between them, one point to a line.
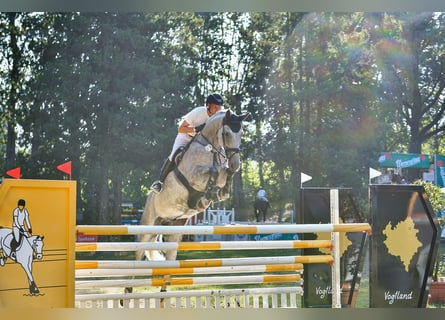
200 263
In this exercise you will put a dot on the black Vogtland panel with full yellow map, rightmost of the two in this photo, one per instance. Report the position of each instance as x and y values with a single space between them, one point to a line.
404 244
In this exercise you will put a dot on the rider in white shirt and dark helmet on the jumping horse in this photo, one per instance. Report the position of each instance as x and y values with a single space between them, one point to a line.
192 123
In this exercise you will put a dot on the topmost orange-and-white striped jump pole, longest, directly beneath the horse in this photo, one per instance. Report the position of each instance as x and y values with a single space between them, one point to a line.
225 229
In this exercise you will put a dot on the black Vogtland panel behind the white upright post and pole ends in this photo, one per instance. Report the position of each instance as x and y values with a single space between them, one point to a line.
317 285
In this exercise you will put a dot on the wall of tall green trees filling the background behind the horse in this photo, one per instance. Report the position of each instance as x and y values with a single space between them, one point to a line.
326 91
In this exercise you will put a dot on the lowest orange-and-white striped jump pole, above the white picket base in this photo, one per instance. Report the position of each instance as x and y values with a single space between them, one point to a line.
161 282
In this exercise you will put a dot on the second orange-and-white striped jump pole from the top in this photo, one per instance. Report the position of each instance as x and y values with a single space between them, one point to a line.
207 245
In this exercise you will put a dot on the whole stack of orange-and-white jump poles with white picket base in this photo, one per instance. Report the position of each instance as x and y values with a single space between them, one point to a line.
250 270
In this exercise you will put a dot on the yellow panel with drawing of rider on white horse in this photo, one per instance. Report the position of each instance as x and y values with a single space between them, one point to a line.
37 243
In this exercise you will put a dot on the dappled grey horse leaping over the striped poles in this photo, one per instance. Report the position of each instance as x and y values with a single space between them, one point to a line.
203 174
